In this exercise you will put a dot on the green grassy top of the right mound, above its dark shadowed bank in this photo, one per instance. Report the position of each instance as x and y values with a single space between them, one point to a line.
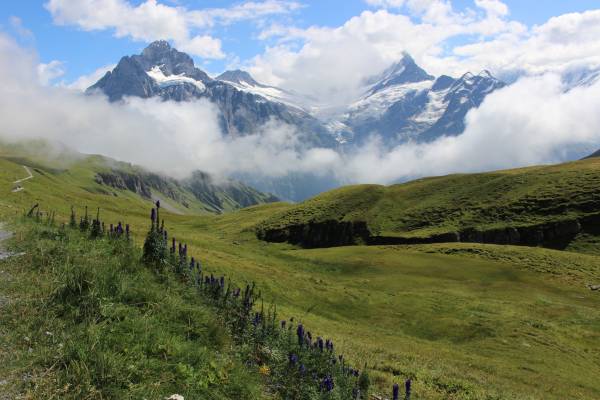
436 206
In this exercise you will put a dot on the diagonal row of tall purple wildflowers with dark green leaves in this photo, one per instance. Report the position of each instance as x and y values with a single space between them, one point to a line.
295 364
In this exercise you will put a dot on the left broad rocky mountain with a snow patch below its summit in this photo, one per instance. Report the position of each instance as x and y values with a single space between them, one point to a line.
161 71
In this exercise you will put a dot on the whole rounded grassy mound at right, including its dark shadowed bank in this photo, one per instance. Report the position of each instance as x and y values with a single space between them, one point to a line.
555 206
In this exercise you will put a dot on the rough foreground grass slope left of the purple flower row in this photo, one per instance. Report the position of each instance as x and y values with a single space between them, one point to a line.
84 319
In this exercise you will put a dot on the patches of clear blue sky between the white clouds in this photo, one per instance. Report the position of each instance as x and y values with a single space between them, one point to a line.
82 52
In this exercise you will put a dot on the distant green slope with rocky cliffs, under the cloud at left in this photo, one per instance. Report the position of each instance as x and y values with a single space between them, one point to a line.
106 177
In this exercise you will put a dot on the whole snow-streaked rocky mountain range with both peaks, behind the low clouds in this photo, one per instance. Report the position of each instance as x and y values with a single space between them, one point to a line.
404 103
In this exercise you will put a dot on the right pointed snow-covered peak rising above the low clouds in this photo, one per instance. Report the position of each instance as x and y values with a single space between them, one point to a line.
407 103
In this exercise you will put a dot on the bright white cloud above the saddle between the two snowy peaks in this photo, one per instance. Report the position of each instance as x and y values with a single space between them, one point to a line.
331 63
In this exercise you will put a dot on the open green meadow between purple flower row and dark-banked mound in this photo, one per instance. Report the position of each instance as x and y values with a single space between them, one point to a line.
469 321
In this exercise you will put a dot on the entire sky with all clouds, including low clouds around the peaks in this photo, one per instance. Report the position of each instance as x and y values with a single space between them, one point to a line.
51 50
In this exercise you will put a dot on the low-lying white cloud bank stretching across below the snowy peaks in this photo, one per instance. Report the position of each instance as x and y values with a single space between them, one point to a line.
530 122
